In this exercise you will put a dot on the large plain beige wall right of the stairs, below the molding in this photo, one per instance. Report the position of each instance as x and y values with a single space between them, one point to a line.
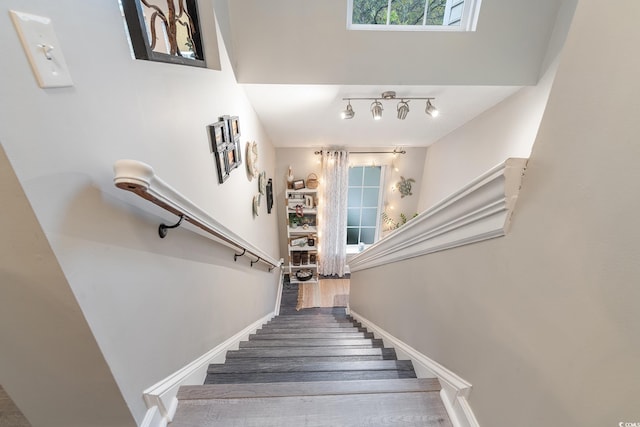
544 322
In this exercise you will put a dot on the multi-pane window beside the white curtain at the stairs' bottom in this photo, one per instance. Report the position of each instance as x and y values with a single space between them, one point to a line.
363 205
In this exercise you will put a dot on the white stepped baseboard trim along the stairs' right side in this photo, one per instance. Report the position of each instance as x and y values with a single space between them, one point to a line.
455 390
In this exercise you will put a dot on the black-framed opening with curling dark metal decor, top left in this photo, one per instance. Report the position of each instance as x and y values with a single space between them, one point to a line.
168 33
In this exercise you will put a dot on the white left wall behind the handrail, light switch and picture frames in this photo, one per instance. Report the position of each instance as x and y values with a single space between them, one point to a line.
153 305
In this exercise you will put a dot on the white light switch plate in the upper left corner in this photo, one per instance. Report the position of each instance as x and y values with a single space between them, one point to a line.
43 49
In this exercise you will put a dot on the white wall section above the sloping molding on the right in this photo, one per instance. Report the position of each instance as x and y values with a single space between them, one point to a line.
506 130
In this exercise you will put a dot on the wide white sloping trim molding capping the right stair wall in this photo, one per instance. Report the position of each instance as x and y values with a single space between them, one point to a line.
479 211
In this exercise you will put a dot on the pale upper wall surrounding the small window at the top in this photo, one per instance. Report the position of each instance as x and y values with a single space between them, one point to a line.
302 42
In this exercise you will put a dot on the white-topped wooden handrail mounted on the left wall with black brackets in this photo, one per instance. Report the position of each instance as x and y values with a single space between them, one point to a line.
139 178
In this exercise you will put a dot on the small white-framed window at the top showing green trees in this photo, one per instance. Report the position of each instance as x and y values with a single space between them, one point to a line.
412 15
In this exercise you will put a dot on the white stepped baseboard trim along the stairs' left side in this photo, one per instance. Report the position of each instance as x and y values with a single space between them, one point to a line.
160 398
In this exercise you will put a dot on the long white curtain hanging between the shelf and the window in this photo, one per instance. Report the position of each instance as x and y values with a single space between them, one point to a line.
333 213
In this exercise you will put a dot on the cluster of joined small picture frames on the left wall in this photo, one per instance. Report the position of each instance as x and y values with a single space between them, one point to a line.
226 149
